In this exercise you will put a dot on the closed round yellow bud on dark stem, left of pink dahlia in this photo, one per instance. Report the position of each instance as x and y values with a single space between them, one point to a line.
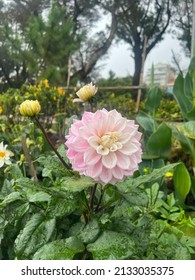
30 108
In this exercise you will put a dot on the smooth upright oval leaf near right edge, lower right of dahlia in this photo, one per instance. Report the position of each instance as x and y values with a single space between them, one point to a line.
182 182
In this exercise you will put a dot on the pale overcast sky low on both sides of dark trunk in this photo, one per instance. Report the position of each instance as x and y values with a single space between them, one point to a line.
119 57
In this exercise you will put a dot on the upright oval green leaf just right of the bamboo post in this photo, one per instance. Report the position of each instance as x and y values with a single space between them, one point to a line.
153 100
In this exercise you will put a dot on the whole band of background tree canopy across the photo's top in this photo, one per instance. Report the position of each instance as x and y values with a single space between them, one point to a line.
55 39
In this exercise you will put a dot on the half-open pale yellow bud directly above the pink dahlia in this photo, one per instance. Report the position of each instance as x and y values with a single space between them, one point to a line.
85 93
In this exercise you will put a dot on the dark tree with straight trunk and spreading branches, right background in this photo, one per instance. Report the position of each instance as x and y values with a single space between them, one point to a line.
139 19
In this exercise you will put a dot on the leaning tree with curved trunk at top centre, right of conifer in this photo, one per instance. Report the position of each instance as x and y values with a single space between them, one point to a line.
85 14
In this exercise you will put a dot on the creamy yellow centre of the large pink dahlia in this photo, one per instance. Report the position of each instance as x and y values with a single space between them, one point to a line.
109 143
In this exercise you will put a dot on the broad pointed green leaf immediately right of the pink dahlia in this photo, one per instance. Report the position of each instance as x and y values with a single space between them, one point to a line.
159 142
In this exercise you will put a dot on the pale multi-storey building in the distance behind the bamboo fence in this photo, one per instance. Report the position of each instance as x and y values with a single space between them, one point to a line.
164 75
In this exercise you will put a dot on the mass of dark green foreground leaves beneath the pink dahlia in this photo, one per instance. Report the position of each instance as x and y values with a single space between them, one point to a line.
52 219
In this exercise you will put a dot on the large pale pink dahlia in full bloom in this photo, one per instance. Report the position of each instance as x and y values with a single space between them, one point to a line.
104 146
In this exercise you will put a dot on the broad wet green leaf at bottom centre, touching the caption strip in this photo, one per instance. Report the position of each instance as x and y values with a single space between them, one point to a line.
112 246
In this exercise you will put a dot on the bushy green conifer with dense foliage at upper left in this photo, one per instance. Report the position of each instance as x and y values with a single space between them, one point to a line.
52 43
